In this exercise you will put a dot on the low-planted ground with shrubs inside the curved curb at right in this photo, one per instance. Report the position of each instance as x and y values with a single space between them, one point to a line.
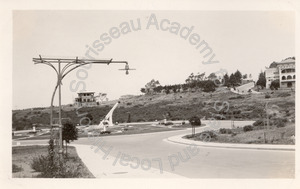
280 133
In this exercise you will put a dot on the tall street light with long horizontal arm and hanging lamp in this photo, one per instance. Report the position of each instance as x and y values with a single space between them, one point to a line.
70 65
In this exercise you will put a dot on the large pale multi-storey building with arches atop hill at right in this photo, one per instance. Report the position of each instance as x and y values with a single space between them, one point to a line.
284 71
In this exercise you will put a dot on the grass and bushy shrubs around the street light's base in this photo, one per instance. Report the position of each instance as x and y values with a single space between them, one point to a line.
35 161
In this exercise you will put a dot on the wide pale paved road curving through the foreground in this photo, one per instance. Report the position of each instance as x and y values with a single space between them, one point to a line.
207 163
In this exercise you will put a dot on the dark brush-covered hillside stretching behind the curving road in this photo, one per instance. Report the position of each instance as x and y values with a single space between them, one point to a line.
179 106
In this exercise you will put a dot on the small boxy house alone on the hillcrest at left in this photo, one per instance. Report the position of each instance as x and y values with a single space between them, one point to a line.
85 99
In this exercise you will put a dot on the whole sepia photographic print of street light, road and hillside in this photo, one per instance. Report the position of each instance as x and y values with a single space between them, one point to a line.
152 94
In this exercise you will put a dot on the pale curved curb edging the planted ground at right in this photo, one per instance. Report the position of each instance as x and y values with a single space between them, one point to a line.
179 140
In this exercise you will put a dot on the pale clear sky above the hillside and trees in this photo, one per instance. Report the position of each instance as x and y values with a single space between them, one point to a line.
161 49
